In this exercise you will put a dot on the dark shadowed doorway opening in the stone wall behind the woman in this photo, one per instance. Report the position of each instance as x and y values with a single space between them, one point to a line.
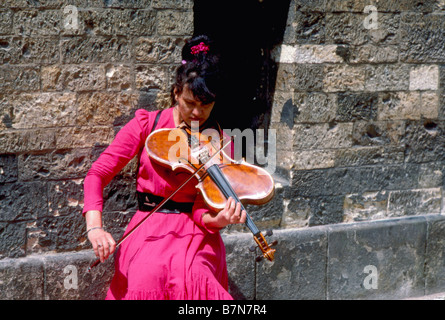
246 31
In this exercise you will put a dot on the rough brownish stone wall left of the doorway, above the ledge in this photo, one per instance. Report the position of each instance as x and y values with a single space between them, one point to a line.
72 73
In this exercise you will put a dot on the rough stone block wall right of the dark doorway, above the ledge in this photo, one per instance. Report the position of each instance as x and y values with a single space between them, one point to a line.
359 111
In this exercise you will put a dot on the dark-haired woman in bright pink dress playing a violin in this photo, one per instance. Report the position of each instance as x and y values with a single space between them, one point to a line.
178 252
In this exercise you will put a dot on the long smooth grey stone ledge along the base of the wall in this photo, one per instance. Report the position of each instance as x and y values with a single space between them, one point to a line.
388 259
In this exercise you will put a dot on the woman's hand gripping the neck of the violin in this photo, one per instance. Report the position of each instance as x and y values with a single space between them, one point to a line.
231 214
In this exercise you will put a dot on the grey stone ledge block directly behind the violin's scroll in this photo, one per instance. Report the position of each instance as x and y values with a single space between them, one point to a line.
299 268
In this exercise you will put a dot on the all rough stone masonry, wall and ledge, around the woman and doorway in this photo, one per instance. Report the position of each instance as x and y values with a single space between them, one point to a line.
358 109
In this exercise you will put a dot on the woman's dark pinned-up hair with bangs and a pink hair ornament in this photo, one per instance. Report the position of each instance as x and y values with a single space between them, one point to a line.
199 71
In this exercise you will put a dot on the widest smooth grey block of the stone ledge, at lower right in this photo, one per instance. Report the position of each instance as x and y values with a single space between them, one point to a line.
377 260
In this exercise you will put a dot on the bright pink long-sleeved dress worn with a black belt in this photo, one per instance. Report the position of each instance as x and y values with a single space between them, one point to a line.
171 256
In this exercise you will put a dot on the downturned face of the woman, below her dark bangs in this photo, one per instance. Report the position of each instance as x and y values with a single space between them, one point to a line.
190 109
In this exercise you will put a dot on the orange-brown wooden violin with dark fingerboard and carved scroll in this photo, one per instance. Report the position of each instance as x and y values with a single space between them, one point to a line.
219 176
